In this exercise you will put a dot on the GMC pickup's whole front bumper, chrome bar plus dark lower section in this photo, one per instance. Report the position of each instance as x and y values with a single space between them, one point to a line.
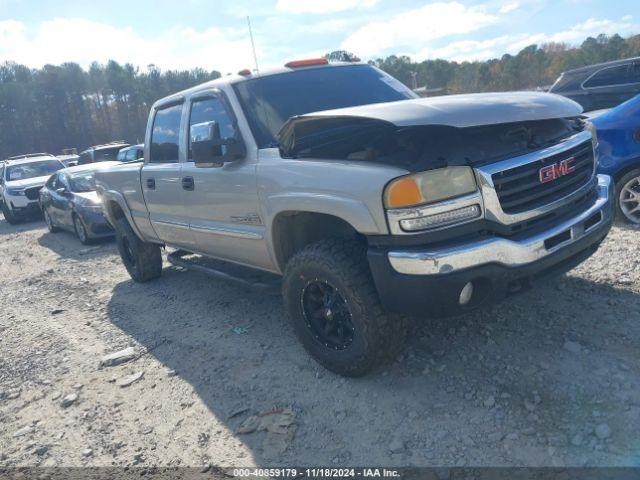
423 281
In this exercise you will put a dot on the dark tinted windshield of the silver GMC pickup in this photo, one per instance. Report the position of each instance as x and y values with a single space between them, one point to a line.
270 101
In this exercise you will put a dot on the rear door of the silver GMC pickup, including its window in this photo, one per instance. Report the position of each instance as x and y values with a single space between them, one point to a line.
161 178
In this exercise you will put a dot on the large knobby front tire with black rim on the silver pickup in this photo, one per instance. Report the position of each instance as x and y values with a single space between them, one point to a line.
335 310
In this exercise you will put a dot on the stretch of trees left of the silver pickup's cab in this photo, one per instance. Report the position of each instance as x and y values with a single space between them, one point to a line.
65 106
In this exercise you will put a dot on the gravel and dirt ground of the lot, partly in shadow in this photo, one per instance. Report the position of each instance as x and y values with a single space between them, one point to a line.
551 377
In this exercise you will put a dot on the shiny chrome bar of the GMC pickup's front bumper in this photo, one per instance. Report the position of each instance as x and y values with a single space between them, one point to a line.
507 252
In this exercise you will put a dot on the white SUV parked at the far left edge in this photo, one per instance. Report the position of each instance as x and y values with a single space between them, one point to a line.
21 179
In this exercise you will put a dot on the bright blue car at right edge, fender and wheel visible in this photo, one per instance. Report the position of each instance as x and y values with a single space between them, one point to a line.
619 137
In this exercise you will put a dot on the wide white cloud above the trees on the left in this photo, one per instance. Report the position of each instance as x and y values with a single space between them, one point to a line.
83 41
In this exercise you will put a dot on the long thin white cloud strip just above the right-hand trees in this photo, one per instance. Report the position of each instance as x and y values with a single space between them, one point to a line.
470 50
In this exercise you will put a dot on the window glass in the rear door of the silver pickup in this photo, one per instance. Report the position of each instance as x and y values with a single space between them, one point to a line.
165 135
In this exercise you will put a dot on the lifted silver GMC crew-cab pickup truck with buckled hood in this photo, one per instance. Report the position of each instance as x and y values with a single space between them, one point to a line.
370 205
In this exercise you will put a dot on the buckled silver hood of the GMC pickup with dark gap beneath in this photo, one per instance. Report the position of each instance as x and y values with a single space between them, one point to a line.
426 133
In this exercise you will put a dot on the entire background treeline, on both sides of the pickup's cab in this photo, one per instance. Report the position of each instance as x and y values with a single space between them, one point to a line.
65 106
